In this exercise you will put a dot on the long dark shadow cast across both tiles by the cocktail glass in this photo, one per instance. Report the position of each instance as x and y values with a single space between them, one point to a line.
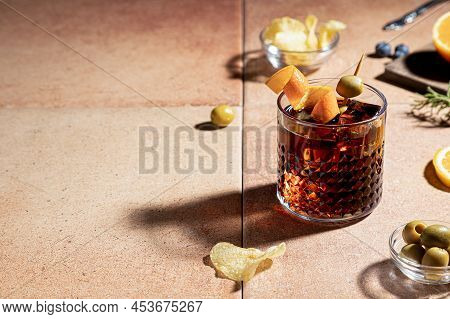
206 221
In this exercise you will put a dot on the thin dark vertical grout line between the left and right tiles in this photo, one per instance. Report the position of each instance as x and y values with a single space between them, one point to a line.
243 128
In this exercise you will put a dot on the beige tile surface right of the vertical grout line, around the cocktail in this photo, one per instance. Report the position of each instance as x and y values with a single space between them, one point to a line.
351 262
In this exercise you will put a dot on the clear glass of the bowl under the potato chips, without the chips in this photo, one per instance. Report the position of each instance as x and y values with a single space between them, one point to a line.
306 61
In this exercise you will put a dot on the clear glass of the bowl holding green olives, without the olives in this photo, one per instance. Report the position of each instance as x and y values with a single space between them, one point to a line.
423 274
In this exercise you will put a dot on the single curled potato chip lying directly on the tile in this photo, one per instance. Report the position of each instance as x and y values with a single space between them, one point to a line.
241 264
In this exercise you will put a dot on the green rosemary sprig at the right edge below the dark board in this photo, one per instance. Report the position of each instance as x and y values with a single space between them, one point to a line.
434 106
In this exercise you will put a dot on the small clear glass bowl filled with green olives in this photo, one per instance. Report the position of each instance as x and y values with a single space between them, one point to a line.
421 250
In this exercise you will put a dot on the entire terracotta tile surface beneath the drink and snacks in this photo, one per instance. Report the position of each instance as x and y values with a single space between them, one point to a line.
79 219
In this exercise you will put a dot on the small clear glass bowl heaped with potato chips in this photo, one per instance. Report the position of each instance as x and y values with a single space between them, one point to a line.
289 41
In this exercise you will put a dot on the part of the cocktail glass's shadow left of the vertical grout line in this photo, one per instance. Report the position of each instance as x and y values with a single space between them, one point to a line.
201 222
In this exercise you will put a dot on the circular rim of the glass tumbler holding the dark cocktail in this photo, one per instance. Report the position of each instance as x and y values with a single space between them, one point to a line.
320 125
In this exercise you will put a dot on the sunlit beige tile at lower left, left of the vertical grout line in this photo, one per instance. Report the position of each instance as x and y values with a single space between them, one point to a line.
78 220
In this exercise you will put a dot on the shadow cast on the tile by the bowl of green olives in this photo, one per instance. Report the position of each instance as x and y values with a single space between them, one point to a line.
382 279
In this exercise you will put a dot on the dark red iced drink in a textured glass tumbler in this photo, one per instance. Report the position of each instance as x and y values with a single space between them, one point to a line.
331 172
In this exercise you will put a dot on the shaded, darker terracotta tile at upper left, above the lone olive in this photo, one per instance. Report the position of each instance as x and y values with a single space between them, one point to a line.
169 52
